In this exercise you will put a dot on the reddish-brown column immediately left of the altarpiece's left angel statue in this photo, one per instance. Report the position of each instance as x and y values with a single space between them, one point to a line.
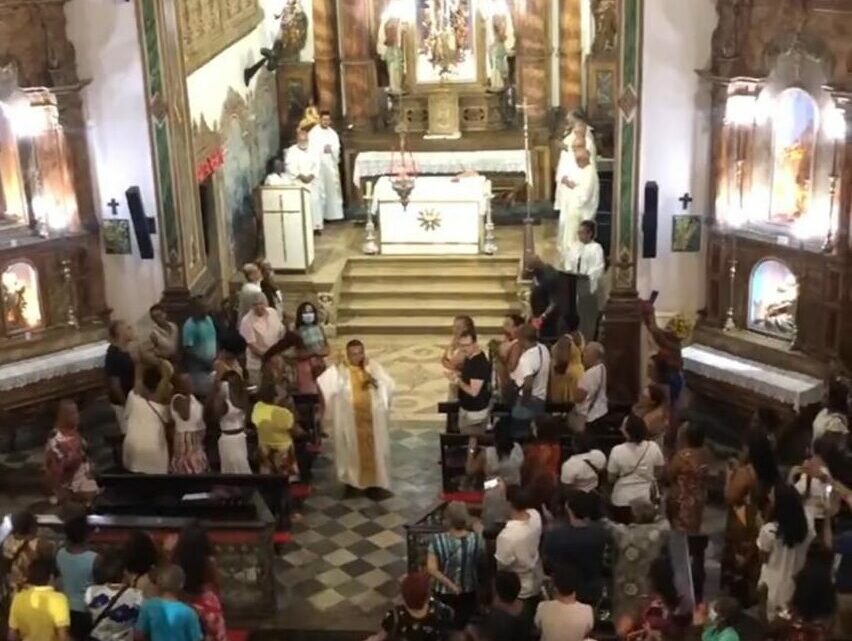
357 67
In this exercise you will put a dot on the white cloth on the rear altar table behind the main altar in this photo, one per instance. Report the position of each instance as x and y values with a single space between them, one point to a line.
369 164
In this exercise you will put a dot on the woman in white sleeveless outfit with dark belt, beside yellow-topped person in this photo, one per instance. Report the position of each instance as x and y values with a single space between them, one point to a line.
232 404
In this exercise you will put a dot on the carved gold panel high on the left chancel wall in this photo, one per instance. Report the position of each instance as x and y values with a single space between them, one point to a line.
208 27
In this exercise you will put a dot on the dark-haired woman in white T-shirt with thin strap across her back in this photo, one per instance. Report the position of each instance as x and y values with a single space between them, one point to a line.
633 468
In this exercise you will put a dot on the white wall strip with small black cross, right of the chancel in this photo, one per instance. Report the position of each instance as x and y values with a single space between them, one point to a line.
675 141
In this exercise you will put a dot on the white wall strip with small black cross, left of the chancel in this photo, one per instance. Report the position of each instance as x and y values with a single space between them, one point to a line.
106 39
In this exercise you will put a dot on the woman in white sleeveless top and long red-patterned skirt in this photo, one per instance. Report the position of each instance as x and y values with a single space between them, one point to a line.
188 454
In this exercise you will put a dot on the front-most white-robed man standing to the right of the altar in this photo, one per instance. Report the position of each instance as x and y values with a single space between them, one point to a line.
578 198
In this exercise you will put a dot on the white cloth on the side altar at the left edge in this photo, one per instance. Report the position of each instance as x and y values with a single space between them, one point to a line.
40 368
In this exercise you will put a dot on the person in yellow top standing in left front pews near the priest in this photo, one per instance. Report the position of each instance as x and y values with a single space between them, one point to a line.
276 427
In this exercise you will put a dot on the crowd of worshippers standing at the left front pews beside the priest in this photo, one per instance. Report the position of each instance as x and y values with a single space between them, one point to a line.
186 397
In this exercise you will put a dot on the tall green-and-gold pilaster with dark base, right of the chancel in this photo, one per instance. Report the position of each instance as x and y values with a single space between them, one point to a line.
622 325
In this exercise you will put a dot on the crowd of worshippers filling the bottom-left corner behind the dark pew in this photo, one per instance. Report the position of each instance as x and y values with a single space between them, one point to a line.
146 590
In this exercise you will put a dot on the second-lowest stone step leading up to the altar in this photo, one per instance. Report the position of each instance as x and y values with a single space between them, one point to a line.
401 306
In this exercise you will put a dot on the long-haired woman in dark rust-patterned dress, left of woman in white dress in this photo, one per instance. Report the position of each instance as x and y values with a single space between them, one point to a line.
747 488
